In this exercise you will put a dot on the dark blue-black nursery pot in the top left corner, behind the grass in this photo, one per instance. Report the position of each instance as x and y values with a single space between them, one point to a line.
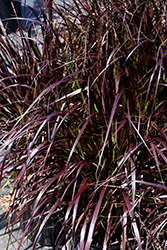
7 10
